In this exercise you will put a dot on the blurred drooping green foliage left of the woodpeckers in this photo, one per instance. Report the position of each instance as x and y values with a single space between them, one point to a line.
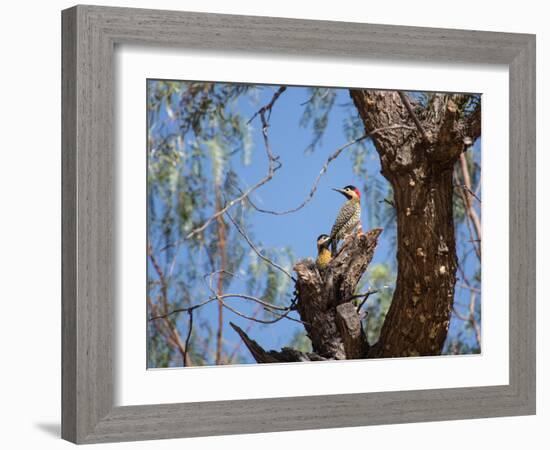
196 138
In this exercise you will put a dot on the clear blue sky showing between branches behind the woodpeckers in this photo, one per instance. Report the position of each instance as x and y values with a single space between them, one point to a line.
290 187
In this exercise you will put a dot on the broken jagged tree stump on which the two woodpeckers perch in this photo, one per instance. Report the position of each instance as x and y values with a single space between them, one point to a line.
325 303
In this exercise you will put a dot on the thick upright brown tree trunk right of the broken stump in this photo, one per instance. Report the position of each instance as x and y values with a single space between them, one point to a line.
419 163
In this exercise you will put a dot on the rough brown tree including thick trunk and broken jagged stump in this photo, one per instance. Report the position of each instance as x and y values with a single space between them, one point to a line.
418 162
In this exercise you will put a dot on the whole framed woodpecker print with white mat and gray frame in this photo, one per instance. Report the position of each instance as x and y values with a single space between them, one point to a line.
268 222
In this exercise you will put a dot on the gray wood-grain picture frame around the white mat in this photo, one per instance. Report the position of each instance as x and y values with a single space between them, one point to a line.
90 34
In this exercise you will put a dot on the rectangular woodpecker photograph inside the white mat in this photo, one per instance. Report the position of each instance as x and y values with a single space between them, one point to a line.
311 223
